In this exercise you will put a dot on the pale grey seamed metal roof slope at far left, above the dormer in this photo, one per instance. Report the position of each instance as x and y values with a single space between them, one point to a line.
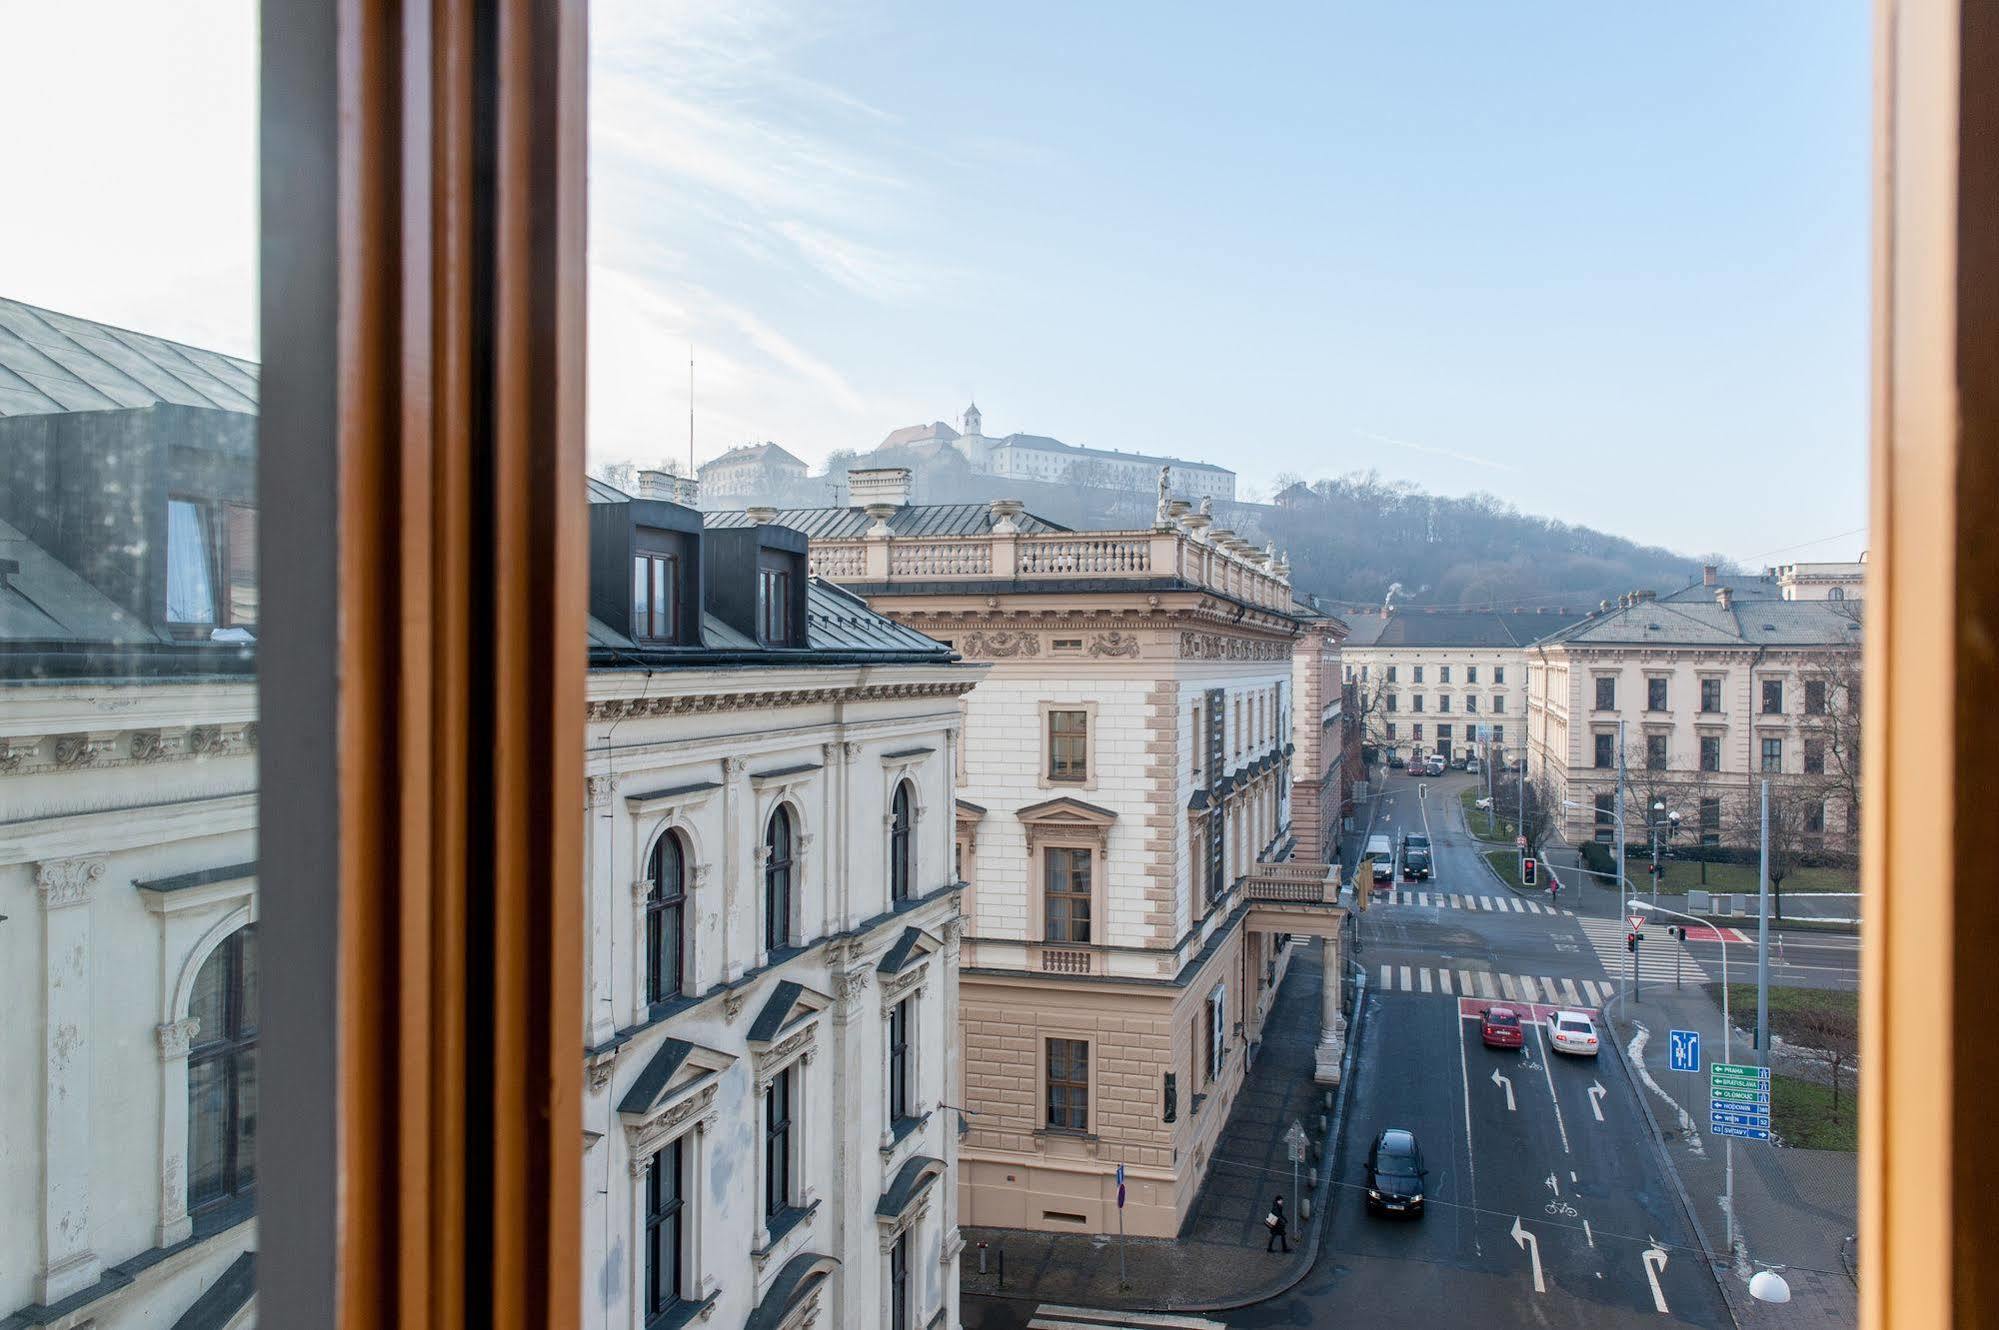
59 363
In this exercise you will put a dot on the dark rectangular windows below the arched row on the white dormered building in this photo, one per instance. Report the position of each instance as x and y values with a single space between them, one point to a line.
671 1285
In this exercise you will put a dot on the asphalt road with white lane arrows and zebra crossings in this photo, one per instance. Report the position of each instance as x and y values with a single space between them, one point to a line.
1548 1203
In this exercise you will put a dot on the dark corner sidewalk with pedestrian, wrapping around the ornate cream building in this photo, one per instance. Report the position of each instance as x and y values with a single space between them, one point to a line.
1218 1259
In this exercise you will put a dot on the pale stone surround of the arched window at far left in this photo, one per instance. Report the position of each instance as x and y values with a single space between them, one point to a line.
177 1031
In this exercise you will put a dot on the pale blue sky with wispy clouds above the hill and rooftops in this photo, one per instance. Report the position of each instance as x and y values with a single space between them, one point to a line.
1606 263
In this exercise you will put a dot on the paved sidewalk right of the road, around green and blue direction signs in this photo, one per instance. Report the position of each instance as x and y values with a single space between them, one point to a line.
1796 1209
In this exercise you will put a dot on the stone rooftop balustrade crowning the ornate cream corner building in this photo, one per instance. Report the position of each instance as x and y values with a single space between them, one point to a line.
1186 551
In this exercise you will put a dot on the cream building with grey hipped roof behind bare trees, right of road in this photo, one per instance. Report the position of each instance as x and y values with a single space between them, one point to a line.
1712 695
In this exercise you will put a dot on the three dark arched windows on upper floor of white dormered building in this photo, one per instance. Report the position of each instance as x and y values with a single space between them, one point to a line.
667 899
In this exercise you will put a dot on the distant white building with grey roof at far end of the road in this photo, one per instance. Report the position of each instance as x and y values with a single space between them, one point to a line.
1444 681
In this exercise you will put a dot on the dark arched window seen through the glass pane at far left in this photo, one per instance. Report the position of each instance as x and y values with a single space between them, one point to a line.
223 1075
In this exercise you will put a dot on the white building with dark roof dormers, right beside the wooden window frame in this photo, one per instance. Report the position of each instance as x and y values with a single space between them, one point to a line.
775 935
